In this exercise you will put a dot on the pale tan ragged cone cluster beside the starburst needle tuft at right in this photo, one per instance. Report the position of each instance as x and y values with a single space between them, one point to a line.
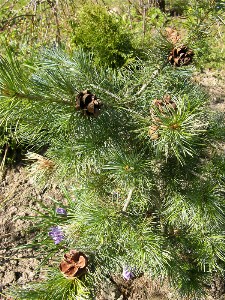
164 107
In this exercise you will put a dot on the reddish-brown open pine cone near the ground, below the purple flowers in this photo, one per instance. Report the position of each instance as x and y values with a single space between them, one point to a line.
74 264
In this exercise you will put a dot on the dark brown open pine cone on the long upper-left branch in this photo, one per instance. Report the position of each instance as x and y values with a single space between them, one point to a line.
88 103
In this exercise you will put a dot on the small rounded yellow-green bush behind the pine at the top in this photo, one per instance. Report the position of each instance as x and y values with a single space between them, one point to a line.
104 34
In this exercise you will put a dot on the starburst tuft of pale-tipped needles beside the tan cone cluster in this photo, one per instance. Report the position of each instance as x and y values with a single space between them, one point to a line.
180 131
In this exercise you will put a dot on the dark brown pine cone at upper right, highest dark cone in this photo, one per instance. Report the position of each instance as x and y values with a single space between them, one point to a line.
181 56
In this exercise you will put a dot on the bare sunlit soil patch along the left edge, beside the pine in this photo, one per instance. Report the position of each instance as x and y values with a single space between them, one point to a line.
18 198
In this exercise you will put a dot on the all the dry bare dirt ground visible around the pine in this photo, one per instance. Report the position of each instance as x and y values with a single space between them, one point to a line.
18 197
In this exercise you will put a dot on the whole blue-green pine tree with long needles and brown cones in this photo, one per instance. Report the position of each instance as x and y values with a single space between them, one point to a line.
141 150
